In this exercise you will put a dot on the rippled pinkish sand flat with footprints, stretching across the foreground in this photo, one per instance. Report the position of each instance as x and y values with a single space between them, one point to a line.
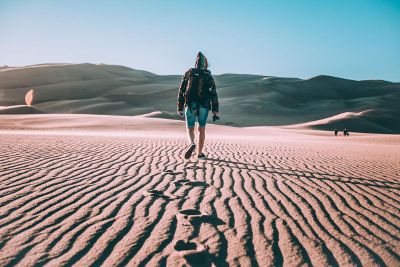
87 190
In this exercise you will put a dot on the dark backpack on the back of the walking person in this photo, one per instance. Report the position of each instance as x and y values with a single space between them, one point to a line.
197 88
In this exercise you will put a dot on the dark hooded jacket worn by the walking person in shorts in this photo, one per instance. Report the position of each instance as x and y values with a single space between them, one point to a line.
201 65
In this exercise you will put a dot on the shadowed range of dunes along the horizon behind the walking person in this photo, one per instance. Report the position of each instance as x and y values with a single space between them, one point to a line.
246 100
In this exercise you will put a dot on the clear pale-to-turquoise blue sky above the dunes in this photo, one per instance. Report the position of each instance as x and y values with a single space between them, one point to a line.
346 38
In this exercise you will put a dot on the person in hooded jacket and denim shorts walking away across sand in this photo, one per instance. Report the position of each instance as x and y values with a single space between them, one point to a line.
197 95
